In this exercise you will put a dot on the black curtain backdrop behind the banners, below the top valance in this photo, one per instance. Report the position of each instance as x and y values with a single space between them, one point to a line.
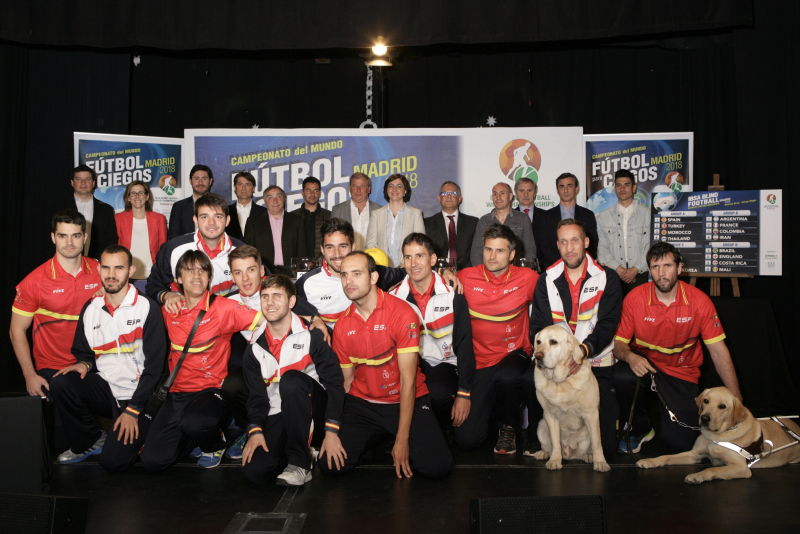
737 89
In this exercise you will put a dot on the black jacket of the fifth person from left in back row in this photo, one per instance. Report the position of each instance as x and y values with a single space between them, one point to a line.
258 233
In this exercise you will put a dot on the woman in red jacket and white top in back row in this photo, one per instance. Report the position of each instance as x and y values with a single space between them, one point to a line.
140 229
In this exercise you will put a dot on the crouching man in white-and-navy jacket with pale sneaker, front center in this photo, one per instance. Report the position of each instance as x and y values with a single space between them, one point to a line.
296 386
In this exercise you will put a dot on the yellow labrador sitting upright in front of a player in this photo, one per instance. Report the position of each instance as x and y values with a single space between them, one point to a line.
571 403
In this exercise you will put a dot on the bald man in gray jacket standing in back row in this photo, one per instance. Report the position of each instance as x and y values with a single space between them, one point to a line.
502 197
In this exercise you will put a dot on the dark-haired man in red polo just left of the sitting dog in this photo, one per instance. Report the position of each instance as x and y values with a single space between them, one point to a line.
498 295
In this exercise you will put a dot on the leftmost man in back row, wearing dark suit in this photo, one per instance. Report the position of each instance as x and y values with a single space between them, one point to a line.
101 226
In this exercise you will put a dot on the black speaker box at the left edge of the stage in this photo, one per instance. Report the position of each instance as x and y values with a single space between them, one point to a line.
23 441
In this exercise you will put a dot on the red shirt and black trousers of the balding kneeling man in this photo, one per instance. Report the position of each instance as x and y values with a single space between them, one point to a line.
372 407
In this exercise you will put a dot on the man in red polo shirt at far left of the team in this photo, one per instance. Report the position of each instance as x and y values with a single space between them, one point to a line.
51 298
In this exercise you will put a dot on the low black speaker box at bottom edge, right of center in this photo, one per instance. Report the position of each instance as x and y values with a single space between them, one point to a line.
571 514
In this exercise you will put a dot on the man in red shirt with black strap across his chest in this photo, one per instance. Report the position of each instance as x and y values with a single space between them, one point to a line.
194 410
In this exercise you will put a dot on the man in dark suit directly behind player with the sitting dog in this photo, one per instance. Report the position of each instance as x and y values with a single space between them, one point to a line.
567 185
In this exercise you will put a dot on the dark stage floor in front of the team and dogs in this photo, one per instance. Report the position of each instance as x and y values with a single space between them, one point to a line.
186 499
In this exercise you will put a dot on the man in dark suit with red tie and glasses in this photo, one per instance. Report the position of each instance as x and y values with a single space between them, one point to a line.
439 227
